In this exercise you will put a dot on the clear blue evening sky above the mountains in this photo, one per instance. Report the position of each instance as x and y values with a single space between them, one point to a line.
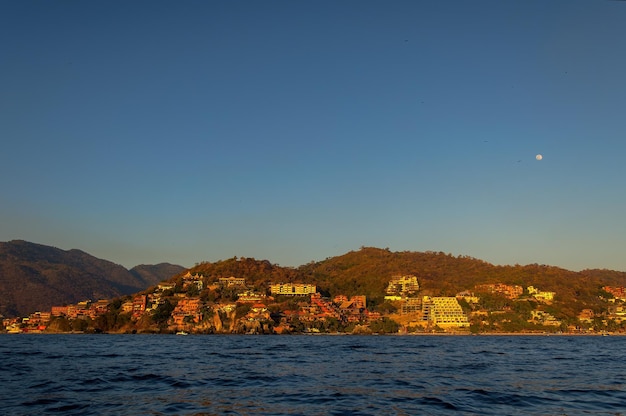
144 132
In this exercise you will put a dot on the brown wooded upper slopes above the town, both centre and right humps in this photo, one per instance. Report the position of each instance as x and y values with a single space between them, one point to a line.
367 272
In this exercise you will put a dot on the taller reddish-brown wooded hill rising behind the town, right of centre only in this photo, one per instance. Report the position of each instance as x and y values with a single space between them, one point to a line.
367 271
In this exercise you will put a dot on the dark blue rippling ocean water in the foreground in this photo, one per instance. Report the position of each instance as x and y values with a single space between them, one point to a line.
311 375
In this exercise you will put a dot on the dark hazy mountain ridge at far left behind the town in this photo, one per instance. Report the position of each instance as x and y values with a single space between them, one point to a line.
35 277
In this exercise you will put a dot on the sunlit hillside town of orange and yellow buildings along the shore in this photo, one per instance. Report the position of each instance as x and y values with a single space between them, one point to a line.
193 303
